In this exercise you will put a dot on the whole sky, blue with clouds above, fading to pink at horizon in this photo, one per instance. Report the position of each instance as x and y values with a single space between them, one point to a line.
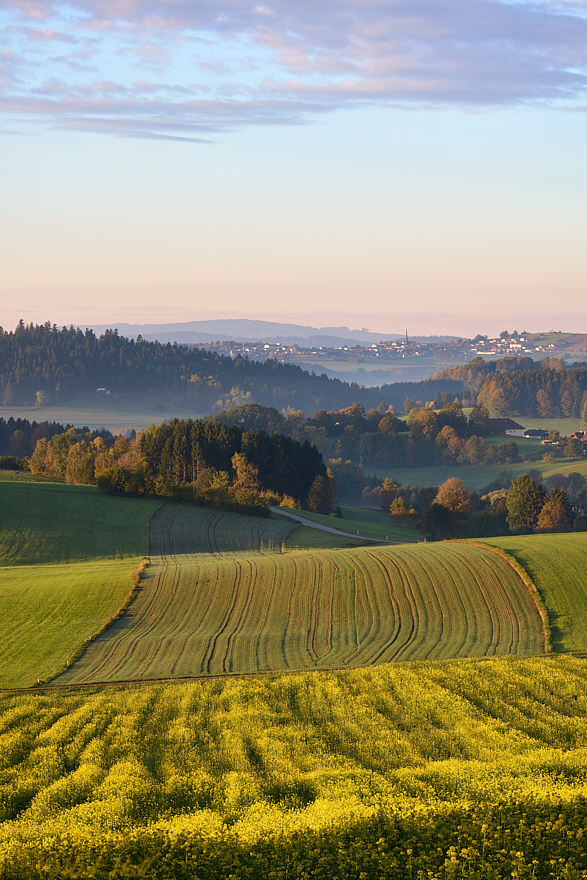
386 164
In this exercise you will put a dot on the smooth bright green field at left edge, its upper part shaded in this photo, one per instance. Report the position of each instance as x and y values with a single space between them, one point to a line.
67 555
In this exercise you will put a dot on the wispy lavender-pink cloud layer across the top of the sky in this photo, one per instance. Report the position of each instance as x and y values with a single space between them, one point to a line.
285 61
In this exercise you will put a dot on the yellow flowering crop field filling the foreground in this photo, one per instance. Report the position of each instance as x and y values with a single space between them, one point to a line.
460 769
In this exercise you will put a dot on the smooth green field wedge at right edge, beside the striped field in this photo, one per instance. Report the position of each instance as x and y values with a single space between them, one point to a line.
557 565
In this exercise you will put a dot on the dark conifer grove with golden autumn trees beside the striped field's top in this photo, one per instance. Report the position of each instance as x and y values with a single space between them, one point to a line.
197 461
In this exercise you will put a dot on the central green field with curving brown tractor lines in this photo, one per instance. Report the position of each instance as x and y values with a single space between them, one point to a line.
220 613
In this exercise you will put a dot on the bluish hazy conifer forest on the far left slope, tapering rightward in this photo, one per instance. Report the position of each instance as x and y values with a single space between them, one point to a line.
43 365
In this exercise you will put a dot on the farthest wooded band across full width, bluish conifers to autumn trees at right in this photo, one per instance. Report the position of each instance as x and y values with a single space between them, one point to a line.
43 364
